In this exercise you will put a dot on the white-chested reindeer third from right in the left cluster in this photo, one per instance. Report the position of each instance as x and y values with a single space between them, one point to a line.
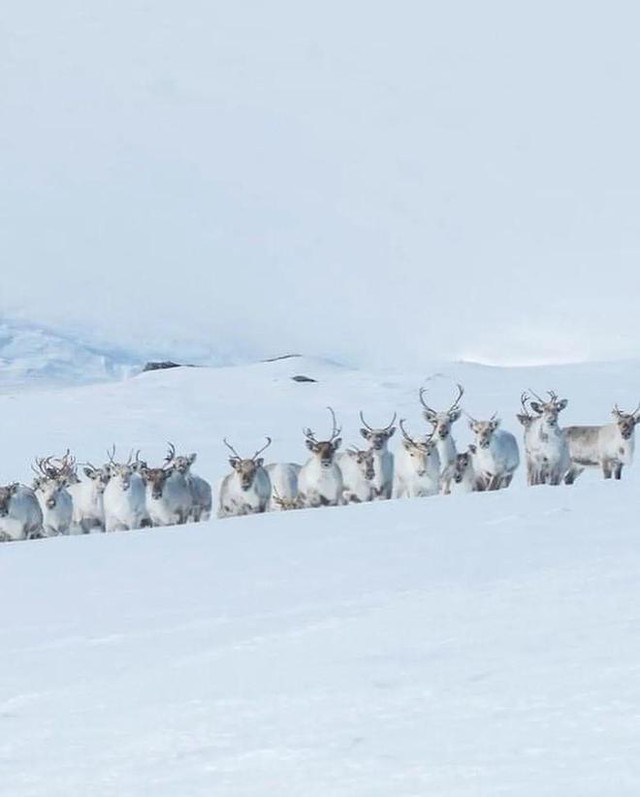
124 496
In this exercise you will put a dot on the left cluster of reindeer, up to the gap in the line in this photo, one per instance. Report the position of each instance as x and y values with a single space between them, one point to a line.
117 496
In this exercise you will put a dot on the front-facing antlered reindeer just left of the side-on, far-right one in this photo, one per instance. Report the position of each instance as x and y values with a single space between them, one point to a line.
545 443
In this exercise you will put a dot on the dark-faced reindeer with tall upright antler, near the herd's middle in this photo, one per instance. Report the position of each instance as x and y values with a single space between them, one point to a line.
320 479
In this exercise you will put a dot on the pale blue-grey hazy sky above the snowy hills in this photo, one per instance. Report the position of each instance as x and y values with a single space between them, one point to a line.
365 180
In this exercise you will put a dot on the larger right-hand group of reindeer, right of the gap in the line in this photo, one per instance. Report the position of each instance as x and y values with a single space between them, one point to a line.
429 464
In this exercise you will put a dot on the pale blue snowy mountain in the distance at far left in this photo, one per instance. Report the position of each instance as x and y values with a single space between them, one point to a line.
33 354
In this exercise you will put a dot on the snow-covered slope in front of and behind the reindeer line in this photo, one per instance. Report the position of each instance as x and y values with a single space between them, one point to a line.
470 646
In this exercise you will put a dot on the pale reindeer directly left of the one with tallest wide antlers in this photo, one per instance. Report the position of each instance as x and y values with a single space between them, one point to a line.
417 467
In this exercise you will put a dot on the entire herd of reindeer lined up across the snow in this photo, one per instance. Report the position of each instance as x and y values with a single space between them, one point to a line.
68 498
